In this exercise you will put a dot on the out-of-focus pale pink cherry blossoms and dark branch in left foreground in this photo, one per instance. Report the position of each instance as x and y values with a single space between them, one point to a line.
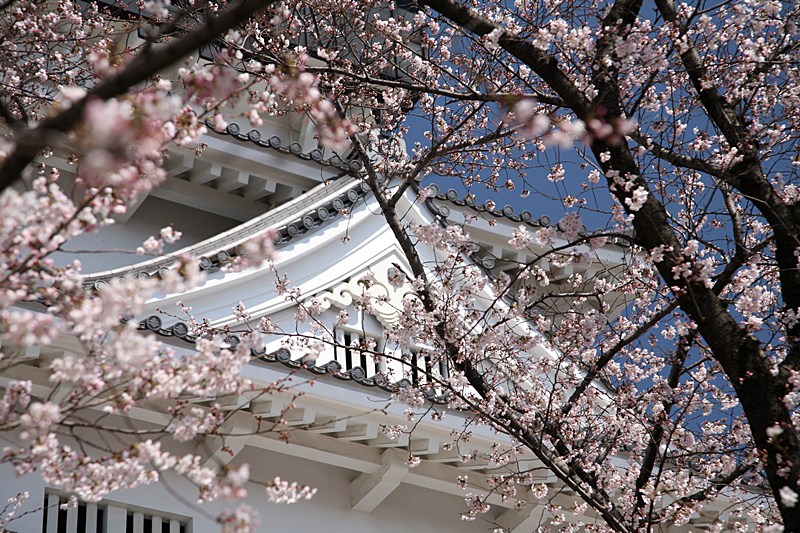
77 81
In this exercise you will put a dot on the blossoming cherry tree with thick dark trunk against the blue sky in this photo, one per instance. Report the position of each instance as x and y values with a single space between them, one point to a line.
681 118
